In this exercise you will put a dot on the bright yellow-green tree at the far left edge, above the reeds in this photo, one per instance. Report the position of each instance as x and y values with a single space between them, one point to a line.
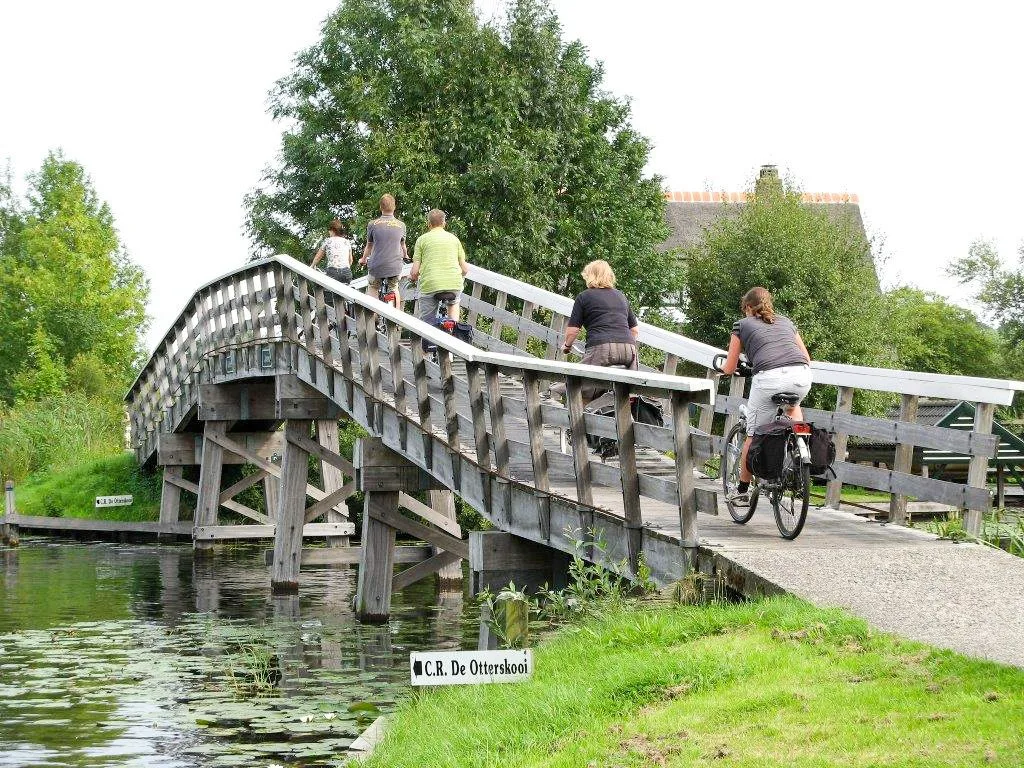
65 276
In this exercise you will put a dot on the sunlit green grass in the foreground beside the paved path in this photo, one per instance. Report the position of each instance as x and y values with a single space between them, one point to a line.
772 684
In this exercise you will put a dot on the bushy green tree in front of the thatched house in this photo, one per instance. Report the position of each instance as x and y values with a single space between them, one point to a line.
820 271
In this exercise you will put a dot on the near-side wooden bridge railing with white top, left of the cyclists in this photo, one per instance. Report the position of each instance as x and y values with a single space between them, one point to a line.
278 316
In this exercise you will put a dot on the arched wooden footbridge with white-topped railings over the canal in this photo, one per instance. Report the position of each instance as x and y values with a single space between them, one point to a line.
270 346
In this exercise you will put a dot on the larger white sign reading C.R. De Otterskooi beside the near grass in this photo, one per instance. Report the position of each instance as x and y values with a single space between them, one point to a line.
471 667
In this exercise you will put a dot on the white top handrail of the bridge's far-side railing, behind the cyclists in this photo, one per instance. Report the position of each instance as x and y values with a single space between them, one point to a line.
975 390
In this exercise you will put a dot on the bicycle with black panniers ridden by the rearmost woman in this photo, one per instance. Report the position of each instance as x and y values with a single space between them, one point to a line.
790 493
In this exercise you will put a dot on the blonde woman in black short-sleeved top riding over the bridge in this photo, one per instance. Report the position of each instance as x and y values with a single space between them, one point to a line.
612 327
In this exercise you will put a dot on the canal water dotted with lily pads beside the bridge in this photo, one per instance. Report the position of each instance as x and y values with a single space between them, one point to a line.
117 655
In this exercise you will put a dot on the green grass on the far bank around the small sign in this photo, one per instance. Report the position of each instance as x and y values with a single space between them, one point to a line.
73 493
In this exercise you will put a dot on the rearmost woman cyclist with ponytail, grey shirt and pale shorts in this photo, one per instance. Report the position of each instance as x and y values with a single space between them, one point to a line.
781 363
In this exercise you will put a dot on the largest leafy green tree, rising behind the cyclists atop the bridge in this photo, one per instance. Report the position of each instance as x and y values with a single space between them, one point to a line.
503 125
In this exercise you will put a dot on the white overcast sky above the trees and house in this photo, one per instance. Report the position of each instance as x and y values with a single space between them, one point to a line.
915 107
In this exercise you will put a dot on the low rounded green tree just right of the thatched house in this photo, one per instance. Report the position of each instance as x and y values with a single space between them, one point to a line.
936 336
